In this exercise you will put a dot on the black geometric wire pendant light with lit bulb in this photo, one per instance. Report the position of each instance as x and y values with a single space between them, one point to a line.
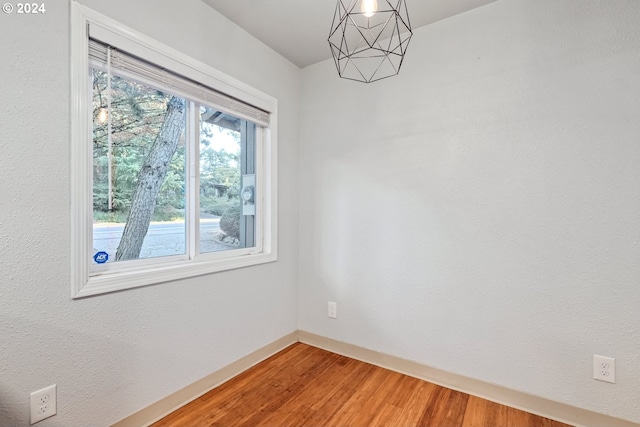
368 42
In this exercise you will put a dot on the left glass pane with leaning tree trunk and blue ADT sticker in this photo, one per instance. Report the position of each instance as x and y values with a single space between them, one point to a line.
138 171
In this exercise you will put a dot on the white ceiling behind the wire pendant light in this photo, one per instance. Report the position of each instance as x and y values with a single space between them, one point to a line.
298 29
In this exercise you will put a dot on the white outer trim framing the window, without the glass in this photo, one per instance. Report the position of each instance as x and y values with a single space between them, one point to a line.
82 283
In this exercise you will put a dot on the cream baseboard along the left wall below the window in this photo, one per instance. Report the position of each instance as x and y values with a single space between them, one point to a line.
167 405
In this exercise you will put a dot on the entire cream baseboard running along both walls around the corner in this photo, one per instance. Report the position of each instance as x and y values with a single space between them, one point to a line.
534 404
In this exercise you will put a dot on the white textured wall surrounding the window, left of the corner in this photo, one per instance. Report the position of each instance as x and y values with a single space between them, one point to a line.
115 354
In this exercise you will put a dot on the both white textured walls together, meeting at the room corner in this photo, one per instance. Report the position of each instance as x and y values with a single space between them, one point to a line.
478 213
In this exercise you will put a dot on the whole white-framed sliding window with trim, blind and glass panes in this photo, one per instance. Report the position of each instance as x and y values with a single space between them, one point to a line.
173 163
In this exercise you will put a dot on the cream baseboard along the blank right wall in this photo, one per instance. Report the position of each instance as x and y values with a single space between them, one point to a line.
516 399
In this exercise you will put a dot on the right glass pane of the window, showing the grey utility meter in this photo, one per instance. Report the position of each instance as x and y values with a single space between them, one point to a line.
223 170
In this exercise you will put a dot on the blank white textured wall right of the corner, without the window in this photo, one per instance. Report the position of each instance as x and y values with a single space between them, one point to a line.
480 213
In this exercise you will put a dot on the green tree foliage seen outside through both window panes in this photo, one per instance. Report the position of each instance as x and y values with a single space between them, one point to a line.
137 114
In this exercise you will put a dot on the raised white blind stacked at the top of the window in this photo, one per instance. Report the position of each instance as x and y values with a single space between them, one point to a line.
118 62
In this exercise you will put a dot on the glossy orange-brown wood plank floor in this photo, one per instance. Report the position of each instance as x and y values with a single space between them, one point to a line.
306 386
